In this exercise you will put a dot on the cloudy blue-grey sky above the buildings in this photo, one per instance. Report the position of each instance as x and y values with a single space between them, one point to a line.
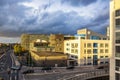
51 16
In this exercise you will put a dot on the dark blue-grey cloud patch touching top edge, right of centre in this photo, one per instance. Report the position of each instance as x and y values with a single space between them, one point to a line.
78 2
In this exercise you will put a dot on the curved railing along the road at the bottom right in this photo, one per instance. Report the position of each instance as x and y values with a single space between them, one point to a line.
88 75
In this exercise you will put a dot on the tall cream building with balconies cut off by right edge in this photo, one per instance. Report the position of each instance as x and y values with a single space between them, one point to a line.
115 39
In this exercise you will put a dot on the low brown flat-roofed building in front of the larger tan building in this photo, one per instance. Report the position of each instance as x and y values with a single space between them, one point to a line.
43 54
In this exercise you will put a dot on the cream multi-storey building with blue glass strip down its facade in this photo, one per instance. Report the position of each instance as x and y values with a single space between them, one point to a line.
88 48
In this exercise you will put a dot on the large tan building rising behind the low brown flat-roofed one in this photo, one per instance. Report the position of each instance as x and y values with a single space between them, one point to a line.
54 40
